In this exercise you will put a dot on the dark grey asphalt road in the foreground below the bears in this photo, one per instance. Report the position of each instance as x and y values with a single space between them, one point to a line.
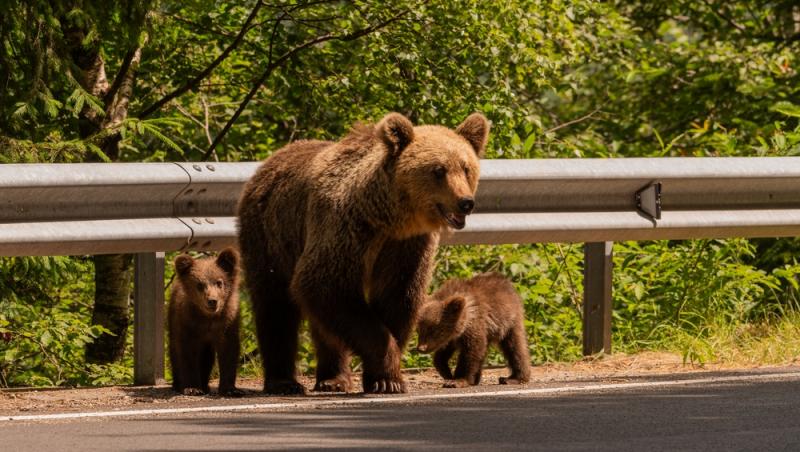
758 415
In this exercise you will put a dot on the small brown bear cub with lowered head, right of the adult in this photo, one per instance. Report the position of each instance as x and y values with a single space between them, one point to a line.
466 316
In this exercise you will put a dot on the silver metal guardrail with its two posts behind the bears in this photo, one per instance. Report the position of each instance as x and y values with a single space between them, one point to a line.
149 208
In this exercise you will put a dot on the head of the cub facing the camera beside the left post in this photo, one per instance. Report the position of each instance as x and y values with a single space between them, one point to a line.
210 282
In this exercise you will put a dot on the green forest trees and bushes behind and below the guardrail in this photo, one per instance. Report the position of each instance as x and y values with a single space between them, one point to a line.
158 80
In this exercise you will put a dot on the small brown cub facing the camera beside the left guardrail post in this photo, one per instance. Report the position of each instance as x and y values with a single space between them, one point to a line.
203 320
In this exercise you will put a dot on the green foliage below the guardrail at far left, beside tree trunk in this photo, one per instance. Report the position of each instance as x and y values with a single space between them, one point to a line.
44 313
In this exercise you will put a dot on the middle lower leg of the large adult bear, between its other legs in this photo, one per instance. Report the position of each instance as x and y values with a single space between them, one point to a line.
333 363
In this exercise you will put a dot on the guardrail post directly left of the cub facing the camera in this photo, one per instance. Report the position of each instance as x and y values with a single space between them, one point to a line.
148 326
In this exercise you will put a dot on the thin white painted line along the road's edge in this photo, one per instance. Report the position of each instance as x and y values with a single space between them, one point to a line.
306 403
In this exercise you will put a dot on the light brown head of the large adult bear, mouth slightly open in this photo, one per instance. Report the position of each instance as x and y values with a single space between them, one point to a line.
436 169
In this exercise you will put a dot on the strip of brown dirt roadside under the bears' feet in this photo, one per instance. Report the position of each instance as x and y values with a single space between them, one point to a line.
613 368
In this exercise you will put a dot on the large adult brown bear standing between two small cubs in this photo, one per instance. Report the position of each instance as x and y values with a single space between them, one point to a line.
343 233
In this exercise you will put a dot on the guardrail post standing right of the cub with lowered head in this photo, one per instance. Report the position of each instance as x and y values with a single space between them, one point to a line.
597 267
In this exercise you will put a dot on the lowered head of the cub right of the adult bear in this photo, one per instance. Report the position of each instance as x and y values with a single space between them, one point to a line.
441 321
